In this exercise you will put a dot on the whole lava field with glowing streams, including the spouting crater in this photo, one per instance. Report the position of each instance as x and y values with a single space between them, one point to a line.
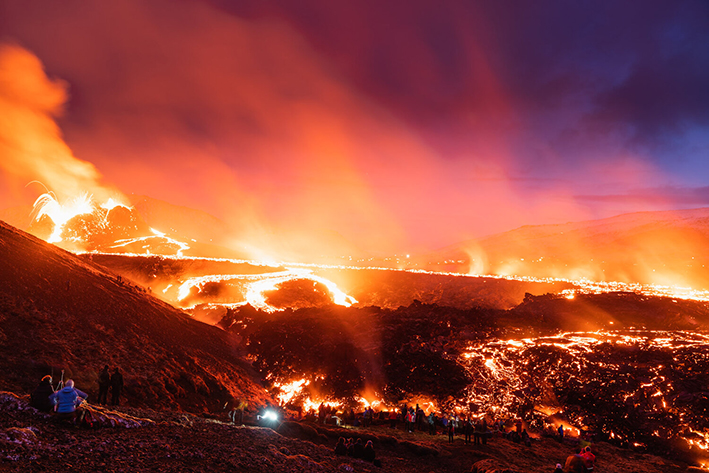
619 361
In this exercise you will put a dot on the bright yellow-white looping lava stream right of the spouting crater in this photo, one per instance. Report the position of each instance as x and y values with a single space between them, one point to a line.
259 284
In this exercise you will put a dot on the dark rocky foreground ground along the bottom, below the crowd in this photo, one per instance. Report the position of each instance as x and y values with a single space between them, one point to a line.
127 439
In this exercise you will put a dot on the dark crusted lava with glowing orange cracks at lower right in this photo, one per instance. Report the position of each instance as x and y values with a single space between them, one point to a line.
602 368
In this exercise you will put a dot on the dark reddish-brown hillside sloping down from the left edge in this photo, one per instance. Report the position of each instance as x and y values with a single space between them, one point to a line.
59 312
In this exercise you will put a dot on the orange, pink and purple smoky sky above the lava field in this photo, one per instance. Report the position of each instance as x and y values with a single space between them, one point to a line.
403 126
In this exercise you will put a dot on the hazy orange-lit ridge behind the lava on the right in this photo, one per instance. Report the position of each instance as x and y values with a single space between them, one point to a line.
666 248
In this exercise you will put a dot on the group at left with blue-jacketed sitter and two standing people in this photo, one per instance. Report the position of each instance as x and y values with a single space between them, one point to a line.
66 400
